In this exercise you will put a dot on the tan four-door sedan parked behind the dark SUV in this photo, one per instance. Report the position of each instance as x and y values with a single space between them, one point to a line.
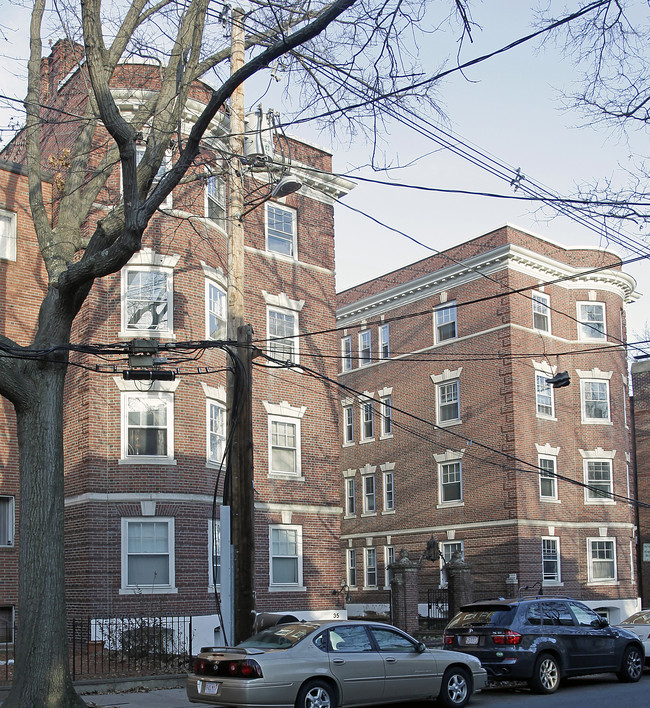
331 664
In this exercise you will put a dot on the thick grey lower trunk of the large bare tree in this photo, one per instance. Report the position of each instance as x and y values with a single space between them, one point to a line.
41 670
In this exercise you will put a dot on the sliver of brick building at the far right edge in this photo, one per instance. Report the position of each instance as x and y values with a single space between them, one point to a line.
641 418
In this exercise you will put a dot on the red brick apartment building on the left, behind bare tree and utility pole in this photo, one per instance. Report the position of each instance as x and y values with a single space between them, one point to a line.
142 461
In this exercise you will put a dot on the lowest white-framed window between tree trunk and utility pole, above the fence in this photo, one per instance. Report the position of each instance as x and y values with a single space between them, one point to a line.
148 554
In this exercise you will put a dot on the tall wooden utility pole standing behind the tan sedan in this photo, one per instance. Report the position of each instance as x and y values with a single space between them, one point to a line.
239 384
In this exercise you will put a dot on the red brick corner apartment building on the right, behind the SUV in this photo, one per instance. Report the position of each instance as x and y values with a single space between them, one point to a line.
450 428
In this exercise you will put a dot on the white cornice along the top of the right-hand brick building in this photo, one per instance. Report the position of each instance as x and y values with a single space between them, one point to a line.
507 256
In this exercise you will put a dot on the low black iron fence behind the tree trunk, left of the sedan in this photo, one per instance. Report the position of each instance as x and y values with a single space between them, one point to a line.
119 646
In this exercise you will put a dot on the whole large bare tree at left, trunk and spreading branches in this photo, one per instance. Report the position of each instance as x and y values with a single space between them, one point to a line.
334 51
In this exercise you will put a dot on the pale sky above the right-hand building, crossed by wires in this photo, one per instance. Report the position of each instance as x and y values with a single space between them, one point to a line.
509 106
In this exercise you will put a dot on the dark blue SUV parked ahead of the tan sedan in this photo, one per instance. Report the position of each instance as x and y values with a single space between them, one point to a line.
542 640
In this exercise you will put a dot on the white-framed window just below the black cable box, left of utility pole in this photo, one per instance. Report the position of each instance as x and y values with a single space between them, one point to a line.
147 426
